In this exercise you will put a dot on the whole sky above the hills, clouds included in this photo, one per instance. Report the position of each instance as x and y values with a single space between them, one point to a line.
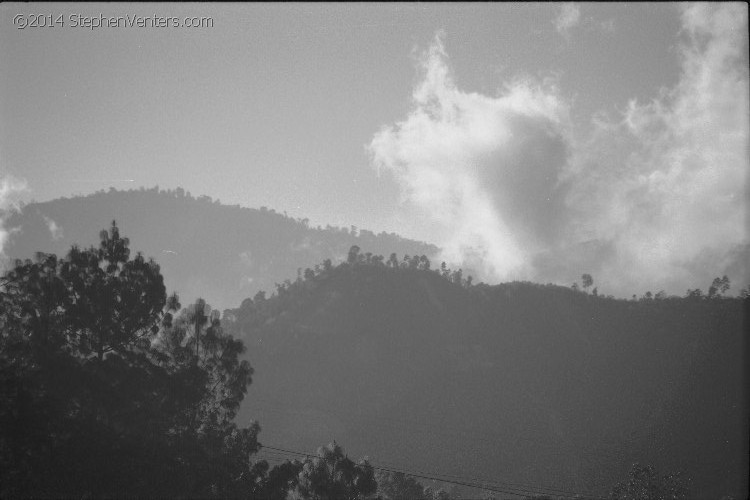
532 141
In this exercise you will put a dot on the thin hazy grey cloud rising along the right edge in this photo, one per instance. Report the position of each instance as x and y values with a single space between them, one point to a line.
666 185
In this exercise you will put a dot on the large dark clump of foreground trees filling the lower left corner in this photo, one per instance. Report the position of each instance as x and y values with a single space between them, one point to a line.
102 394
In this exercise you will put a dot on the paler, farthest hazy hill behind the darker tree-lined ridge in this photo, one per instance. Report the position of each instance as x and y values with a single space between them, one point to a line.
222 253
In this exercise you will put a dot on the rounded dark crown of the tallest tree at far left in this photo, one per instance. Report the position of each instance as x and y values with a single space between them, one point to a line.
100 298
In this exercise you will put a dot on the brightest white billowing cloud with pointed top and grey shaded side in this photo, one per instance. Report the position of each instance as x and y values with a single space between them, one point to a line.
470 164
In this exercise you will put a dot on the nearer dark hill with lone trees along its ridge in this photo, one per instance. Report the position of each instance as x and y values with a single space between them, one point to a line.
533 384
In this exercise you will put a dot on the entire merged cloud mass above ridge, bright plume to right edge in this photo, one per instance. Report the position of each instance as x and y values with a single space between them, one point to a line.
654 197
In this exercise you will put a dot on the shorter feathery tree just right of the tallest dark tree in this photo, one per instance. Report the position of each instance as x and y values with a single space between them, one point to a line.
212 382
